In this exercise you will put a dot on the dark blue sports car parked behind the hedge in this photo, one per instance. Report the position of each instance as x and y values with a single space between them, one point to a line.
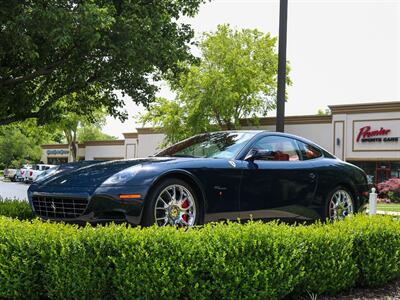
212 176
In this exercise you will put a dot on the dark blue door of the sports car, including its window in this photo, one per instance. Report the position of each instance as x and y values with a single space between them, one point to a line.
280 185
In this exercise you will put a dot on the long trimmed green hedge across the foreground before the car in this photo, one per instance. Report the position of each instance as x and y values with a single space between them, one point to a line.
254 260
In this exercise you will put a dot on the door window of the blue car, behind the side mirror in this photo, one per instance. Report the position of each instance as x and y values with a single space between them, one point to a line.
281 148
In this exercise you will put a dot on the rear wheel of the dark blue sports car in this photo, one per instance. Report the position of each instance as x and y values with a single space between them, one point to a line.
339 204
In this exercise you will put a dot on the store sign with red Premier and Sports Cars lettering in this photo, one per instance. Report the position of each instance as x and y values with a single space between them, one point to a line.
376 135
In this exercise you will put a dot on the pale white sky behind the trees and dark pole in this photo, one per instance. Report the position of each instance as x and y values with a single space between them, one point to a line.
340 51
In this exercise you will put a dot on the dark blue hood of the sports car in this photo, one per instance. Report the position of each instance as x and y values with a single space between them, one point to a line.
92 175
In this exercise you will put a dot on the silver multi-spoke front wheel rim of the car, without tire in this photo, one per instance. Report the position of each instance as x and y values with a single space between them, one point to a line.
175 205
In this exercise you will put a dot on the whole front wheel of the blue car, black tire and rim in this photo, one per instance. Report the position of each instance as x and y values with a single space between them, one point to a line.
183 209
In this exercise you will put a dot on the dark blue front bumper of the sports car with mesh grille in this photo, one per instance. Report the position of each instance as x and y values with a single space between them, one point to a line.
103 204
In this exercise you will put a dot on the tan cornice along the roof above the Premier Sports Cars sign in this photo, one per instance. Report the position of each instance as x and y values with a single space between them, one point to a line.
359 108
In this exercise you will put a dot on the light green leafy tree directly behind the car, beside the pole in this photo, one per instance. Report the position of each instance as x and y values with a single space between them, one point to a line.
236 78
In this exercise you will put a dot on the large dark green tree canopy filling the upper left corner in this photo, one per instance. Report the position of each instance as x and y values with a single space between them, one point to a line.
50 49
